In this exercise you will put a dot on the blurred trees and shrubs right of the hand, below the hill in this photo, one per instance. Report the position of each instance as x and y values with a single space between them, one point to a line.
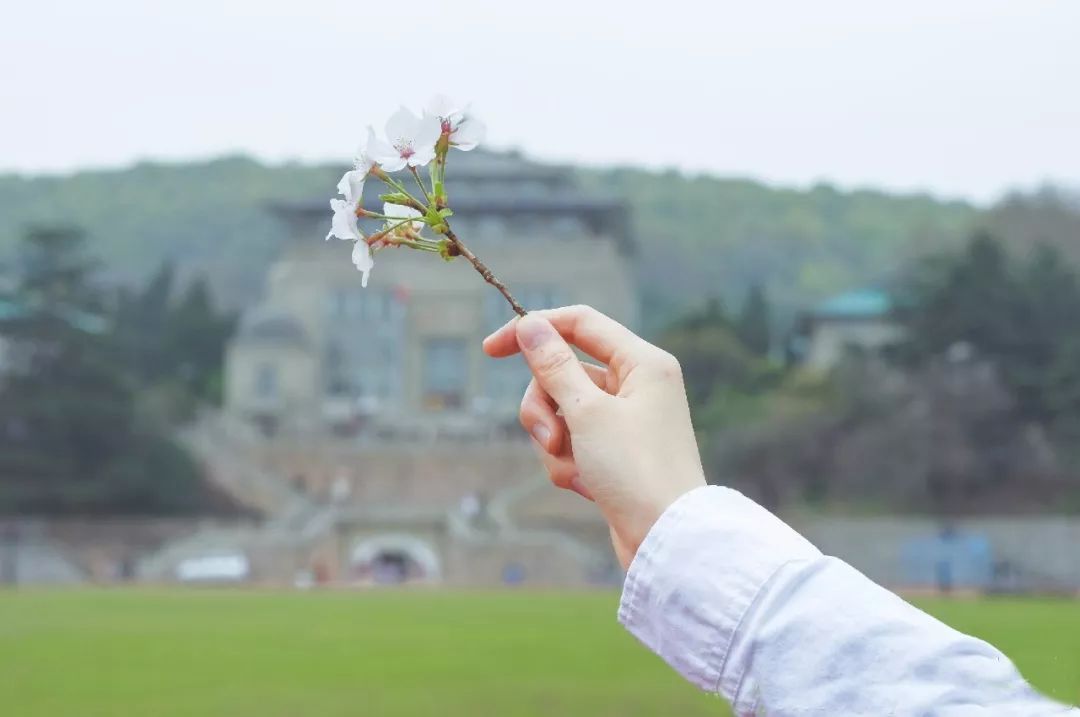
976 410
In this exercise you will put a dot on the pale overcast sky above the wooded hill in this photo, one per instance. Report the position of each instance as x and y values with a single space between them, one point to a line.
961 98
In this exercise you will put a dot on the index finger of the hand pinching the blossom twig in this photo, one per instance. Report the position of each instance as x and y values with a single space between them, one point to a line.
600 336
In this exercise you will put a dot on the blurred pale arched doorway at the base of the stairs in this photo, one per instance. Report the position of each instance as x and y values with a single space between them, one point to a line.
394 560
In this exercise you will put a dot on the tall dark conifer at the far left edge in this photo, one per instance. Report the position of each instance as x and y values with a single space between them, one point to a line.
71 438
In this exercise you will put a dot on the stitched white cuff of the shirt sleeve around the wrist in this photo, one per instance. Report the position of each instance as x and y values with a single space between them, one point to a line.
695 577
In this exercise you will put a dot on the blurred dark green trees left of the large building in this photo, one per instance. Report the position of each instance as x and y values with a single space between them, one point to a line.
93 381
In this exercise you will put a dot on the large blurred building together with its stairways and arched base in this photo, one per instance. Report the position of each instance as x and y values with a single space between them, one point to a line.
367 428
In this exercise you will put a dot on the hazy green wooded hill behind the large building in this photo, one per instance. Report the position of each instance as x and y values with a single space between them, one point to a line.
700 236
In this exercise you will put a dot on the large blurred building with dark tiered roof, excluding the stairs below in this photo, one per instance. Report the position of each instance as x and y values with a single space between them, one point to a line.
403 357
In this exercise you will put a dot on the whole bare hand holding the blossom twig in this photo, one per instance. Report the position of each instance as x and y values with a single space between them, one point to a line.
619 435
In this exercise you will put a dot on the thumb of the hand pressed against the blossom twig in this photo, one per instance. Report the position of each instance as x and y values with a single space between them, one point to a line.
553 363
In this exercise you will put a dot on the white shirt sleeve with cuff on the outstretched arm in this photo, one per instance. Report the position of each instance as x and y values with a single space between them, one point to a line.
742 605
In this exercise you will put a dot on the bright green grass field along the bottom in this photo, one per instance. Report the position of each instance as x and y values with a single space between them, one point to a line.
90 654
